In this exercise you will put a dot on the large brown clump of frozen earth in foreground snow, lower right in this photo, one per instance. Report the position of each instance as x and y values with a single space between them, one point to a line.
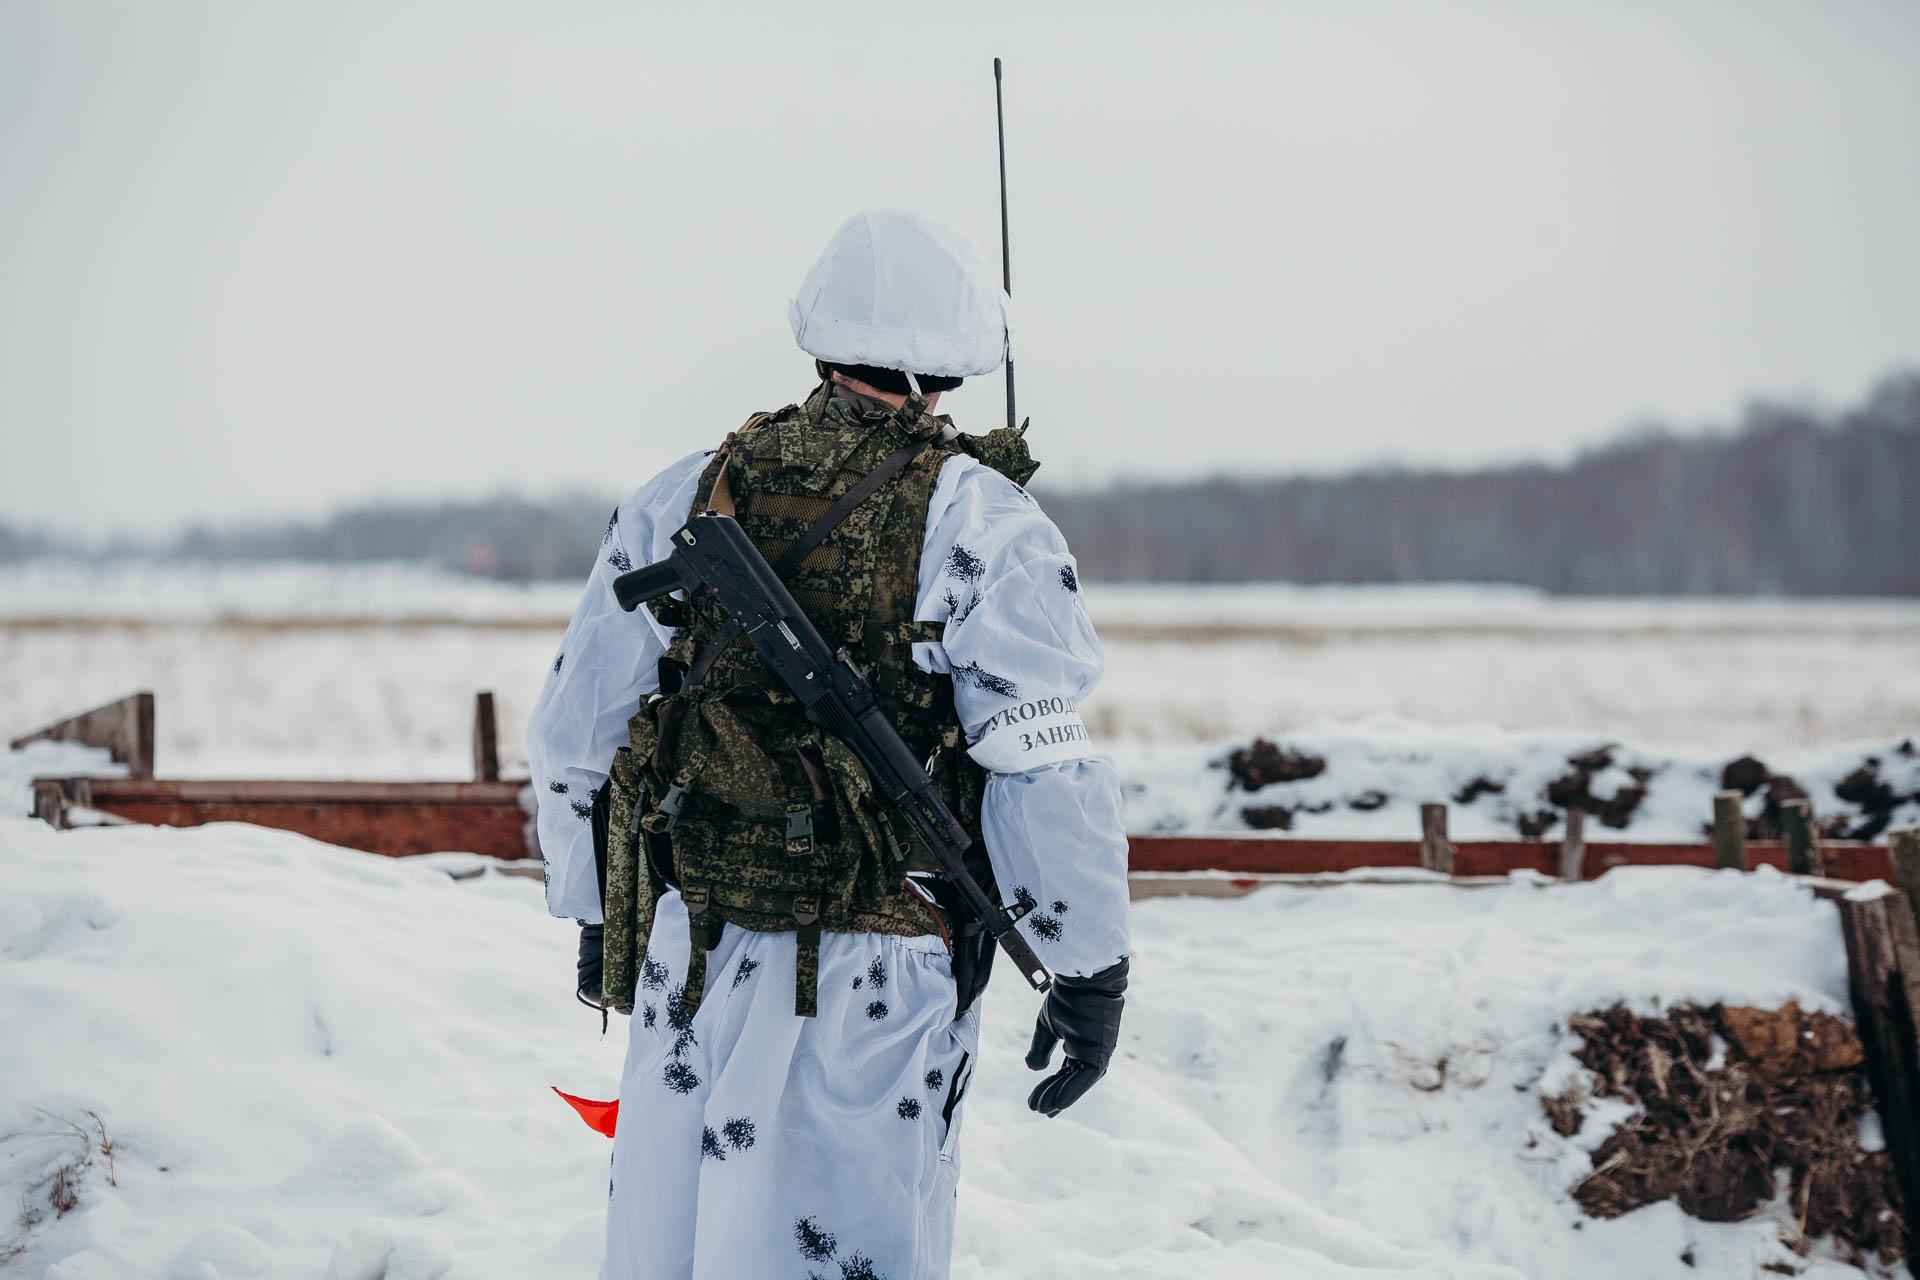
1735 1104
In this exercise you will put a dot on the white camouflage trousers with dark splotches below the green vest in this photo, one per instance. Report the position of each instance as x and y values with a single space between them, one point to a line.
761 1145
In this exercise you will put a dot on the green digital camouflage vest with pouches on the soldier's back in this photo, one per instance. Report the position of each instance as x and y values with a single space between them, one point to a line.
727 790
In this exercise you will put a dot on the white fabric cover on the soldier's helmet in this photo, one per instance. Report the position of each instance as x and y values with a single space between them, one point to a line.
907 293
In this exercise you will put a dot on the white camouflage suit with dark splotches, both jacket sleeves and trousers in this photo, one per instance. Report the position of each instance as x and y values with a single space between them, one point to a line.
761 1145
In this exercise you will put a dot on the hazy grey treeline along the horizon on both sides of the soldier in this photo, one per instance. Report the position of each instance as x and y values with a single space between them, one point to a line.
1788 504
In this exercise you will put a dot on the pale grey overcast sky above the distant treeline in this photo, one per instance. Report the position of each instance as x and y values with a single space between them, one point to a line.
268 258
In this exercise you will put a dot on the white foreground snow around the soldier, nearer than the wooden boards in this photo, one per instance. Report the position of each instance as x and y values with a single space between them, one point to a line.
324 1064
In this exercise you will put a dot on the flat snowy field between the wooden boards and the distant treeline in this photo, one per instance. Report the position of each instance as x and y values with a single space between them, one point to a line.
368 673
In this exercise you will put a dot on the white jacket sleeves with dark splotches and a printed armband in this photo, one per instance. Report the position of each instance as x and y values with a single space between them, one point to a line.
999 575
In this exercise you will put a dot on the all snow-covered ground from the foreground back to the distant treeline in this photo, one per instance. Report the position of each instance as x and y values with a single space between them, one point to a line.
320 1064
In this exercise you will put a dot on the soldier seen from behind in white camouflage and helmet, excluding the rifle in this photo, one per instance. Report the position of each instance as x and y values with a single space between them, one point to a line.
805 1035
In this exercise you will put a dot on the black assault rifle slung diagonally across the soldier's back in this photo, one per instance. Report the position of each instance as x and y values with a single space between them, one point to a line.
713 552
